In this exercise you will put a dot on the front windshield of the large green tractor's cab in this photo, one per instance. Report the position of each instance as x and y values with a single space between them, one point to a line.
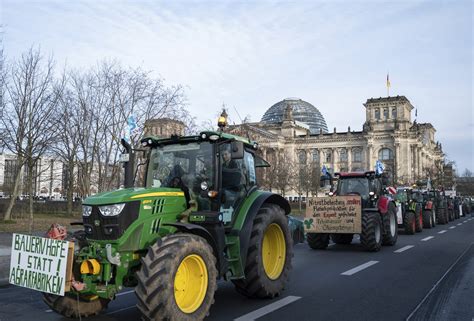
176 165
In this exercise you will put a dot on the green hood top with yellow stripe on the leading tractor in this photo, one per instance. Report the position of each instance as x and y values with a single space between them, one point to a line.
131 194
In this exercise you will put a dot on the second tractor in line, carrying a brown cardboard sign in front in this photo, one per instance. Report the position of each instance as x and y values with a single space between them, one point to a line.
358 206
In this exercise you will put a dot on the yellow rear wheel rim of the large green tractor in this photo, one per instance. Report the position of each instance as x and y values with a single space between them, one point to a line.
273 251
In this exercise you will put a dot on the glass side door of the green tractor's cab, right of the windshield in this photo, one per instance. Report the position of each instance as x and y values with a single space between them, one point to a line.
237 176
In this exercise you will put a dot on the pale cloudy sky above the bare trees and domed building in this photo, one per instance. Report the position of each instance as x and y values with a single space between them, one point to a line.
250 55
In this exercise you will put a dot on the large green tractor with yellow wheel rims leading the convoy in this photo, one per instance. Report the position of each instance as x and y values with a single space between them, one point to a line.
199 217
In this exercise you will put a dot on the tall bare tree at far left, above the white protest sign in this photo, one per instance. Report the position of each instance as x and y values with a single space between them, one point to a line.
29 128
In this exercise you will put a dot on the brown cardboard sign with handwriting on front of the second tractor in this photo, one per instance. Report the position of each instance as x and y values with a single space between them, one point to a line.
336 214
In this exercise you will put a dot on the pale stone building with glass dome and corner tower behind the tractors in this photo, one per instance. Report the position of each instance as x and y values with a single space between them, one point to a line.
408 149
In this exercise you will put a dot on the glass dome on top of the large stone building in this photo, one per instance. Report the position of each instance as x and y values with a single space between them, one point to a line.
302 111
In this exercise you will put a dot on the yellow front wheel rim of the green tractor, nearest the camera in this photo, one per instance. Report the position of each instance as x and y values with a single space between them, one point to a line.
190 283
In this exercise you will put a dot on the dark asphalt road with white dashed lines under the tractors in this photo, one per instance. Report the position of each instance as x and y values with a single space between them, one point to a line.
427 276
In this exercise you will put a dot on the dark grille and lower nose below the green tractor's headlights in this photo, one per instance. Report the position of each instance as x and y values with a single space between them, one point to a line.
98 227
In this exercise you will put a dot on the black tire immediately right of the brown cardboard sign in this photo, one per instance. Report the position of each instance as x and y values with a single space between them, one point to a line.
371 235
